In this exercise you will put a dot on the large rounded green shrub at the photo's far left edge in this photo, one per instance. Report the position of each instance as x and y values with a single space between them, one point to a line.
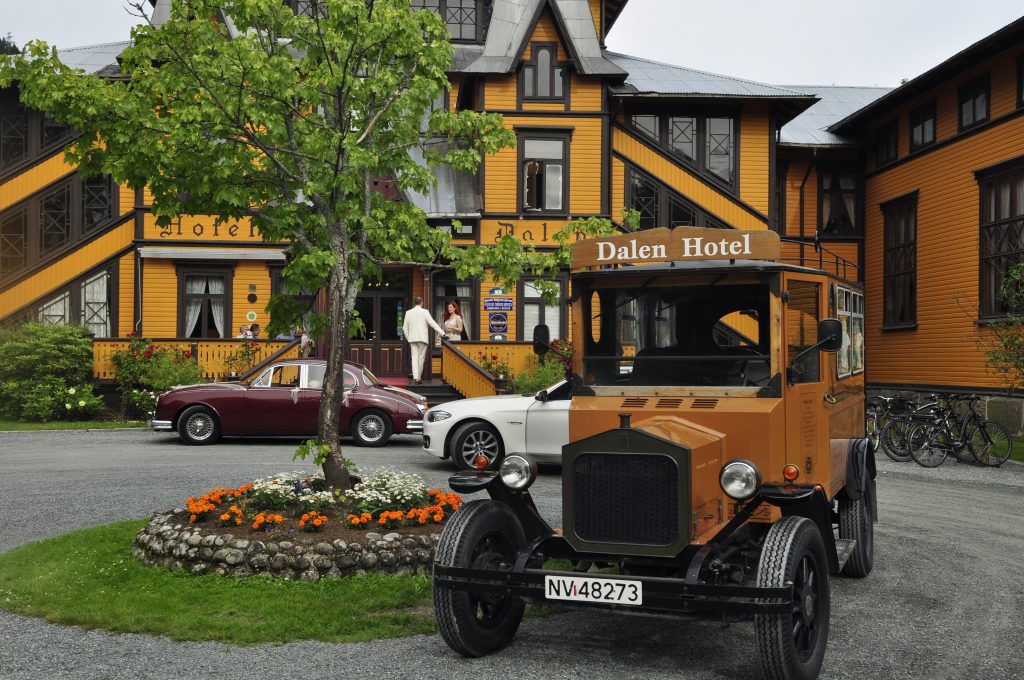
47 373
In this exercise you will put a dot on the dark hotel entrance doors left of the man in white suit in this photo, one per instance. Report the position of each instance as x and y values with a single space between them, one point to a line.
382 310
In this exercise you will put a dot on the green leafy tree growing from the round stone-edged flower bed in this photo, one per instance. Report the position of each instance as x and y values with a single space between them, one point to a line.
247 110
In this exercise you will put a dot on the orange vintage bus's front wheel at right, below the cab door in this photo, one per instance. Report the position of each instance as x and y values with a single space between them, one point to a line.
793 644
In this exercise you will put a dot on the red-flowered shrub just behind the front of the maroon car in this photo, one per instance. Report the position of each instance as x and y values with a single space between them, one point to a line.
144 370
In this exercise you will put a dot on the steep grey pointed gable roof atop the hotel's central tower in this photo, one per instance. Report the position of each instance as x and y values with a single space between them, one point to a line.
513 23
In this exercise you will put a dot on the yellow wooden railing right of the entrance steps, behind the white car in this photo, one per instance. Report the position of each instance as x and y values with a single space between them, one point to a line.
461 365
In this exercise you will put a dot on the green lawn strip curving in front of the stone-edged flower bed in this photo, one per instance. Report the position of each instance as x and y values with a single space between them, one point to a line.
90 579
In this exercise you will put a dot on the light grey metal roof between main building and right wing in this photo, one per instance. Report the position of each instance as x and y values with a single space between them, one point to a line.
809 129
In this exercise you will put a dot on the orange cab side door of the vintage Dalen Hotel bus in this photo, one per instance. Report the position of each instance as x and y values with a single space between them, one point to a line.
807 400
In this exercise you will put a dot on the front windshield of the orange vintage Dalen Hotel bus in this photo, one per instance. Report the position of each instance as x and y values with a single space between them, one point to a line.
685 336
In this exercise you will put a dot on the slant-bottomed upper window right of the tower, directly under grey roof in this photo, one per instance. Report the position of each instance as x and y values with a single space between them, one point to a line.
707 143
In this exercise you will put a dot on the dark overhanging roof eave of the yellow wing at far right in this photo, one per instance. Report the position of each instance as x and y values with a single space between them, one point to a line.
1008 36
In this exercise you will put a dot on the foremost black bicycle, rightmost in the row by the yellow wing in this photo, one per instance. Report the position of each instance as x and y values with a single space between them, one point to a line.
966 436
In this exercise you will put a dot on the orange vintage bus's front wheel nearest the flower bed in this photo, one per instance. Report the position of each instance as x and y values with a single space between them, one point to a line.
483 535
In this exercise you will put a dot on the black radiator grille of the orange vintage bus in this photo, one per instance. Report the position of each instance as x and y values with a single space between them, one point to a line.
626 498
